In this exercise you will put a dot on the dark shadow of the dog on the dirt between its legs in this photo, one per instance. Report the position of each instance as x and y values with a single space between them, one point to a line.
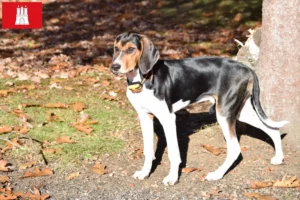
189 123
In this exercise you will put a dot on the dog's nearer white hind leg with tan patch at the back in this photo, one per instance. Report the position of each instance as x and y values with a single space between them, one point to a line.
233 149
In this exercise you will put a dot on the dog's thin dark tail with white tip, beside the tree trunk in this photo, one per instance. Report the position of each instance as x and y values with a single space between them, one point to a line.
257 106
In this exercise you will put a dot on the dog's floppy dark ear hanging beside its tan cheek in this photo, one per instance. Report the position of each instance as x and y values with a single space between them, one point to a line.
150 55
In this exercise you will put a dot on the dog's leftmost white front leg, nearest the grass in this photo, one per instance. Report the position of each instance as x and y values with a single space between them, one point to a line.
148 134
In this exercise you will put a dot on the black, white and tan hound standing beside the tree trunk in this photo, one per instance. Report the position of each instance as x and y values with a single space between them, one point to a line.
162 87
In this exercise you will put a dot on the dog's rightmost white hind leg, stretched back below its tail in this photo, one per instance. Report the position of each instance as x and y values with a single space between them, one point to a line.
249 116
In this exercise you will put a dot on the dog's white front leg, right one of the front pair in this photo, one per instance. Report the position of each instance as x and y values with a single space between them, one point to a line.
169 125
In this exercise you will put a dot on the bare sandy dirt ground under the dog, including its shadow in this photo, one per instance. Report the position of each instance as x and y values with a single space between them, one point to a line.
194 129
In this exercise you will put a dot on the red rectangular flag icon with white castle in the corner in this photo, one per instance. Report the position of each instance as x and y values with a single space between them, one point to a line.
21 15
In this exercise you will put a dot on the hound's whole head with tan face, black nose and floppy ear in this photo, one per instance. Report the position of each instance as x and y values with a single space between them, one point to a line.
132 51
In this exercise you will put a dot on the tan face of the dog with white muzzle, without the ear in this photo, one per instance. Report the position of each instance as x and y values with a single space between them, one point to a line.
127 55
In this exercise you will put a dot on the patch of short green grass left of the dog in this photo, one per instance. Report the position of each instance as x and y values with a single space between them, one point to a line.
111 116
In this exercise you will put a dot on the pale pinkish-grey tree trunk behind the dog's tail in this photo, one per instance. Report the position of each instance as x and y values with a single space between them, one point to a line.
279 65
